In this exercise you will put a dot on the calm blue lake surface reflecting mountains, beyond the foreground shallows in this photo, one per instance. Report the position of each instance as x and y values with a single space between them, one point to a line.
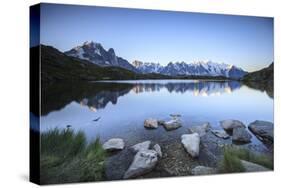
122 106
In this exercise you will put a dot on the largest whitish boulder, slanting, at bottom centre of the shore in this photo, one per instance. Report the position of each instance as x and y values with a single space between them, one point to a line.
144 161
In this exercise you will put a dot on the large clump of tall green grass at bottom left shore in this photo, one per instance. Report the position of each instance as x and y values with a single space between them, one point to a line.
66 157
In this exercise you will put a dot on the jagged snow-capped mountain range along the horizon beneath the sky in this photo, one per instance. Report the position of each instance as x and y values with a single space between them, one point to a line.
95 53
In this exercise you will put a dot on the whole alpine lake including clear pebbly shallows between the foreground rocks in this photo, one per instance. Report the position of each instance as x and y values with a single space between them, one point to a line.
118 109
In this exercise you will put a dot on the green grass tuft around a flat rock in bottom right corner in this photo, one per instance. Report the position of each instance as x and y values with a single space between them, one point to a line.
232 156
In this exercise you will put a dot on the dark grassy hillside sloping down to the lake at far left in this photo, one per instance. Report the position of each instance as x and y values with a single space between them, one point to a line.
57 66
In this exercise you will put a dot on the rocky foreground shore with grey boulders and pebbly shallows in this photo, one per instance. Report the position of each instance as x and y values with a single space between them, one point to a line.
197 152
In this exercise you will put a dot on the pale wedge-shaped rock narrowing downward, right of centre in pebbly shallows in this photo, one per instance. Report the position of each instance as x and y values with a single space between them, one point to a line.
191 143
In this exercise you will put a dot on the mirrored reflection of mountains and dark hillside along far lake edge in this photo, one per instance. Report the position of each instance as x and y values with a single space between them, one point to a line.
96 95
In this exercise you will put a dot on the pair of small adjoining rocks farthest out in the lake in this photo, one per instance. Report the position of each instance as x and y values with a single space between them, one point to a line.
169 125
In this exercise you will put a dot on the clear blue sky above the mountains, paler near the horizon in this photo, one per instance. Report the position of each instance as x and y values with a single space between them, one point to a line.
161 36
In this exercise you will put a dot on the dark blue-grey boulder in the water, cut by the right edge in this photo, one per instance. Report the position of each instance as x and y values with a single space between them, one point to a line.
263 130
